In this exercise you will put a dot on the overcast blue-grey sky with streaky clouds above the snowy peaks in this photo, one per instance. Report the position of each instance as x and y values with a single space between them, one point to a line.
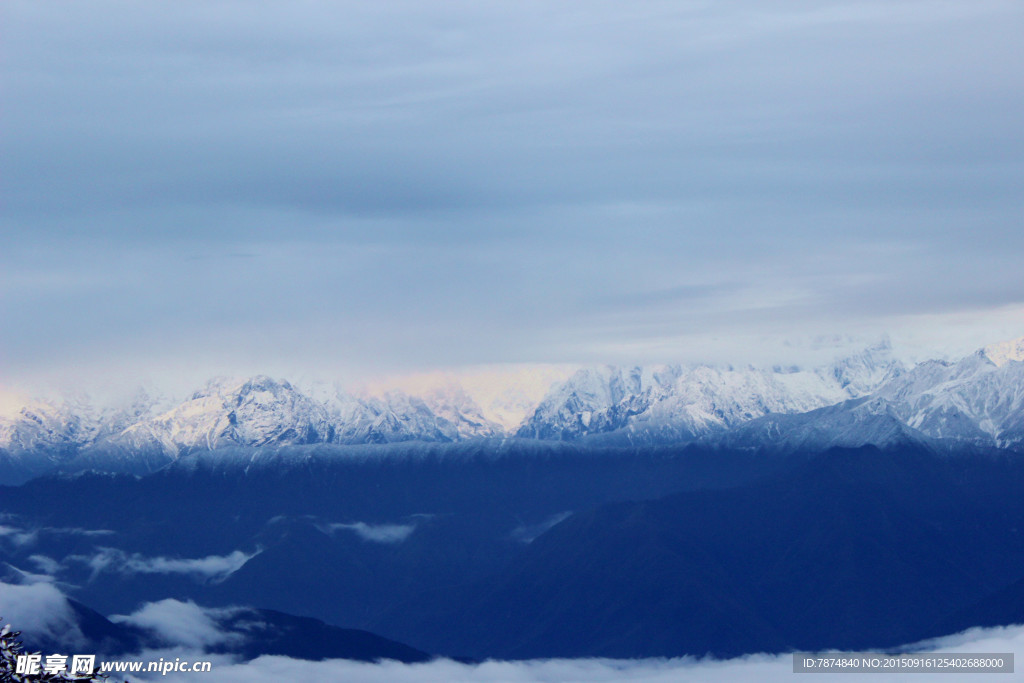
354 188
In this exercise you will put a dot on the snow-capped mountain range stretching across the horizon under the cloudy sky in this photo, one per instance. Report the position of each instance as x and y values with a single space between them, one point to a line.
866 398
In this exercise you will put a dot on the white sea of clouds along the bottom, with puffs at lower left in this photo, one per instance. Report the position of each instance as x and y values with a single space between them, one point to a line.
189 629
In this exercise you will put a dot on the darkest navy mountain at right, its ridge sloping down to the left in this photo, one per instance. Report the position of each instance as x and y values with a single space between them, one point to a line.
847 550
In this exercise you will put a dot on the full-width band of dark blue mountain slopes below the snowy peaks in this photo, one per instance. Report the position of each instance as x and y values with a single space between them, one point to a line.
658 551
